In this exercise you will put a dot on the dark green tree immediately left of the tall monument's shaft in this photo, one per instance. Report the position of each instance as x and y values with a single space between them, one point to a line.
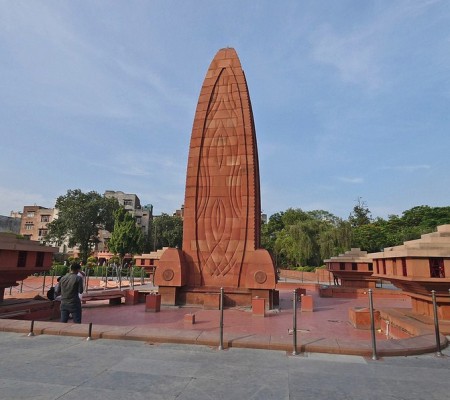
166 231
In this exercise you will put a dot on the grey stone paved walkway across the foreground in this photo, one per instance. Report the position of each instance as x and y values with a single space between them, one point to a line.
70 368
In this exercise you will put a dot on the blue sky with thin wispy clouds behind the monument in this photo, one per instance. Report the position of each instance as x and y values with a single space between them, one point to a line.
350 99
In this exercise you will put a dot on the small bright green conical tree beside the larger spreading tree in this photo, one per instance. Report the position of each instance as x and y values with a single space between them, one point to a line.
126 238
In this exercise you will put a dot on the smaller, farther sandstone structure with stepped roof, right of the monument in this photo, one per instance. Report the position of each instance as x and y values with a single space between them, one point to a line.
354 268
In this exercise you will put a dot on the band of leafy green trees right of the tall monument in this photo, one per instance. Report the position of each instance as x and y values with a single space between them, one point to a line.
296 237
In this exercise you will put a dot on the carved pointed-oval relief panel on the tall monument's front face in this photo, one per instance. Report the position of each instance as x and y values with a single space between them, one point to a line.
221 167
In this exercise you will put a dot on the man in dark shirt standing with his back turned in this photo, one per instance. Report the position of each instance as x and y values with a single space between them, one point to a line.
70 286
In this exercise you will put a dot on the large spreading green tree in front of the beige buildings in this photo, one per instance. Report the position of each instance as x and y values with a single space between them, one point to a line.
80 217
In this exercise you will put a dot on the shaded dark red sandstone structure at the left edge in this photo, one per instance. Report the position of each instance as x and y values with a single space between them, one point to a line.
20 258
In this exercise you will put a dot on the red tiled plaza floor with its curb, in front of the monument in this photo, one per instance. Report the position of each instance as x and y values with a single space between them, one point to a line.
326 329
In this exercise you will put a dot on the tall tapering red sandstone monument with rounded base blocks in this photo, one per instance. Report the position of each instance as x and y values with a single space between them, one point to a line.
222 214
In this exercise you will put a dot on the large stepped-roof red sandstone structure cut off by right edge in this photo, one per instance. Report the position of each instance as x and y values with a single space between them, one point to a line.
418 267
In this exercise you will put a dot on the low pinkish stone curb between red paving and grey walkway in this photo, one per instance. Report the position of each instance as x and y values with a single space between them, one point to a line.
425 343
